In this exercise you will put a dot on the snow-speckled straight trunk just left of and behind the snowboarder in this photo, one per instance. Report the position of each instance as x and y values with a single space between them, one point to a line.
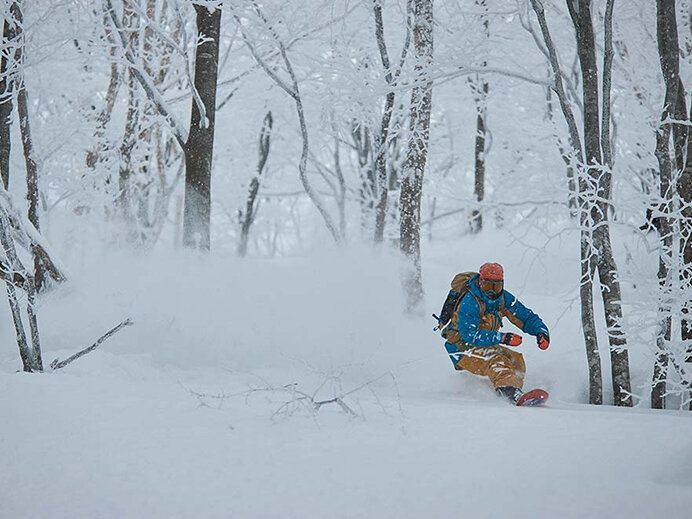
417 153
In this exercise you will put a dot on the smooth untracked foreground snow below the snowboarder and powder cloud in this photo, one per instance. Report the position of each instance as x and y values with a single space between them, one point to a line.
130 441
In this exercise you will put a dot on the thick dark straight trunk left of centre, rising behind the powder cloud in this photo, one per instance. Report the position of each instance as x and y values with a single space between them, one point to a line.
199 147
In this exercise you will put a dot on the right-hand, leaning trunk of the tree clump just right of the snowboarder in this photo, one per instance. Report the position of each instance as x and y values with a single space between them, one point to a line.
597 184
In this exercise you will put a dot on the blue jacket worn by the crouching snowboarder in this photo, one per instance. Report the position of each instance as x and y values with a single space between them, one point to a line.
469 318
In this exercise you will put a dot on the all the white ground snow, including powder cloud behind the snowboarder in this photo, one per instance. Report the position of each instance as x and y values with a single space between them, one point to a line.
155 423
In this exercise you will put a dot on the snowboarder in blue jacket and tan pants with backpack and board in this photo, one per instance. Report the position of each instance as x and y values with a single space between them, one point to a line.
477 303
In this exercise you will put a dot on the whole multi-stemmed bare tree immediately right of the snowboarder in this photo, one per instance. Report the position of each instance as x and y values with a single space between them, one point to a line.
594 180
